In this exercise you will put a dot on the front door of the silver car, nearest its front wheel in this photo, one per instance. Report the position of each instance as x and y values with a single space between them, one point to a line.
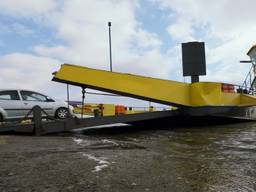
31 99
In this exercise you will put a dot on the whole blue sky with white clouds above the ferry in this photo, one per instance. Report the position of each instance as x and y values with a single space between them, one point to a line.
37 36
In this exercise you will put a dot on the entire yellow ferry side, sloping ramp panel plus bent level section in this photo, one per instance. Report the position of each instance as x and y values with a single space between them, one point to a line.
162 91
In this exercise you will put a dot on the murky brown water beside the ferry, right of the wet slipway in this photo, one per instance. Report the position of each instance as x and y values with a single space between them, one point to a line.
214 158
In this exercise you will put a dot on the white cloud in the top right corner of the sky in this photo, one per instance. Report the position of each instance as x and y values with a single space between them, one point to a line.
223 18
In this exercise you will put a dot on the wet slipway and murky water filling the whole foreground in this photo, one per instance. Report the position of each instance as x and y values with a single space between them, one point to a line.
122 159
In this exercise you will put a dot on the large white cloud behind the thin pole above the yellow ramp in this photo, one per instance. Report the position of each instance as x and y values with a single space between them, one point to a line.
85 34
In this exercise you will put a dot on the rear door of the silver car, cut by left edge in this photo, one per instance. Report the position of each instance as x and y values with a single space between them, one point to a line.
11 102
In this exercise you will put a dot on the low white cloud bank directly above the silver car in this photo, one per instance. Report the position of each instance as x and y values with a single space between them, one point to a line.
25 71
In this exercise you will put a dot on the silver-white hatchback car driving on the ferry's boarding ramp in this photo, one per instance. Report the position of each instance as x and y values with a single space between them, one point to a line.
17 103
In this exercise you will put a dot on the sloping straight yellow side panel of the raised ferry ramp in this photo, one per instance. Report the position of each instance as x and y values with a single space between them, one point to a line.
146 88
